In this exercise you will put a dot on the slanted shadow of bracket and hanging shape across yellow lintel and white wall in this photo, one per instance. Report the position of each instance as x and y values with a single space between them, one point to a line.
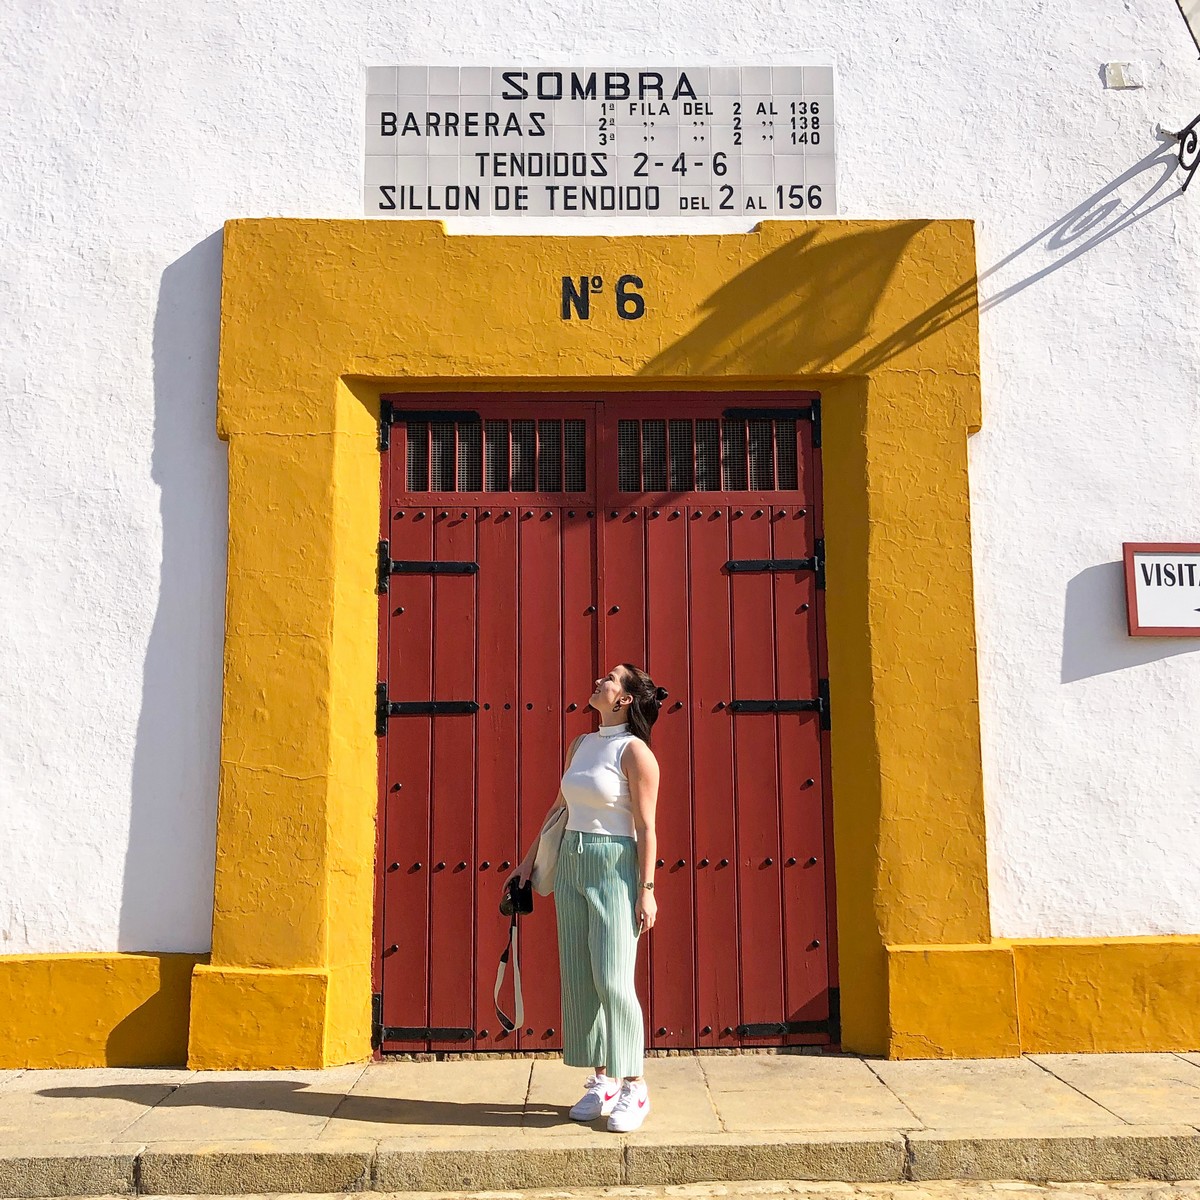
805 304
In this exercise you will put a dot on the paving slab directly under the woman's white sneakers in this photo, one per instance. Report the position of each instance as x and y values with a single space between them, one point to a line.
680 1097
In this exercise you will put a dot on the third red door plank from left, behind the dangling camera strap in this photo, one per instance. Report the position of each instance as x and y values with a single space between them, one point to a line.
496 812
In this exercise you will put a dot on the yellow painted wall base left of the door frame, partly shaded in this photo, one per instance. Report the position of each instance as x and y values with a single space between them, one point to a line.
95 1010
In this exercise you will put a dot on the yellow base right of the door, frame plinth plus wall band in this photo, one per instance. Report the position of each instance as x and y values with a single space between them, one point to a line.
1069 995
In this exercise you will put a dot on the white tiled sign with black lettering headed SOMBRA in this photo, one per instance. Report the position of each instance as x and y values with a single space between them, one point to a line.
598 141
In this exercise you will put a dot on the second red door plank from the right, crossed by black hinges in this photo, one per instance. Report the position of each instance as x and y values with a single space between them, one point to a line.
760 931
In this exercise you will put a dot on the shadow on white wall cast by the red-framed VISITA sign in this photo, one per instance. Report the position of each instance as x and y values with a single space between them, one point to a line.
1095 631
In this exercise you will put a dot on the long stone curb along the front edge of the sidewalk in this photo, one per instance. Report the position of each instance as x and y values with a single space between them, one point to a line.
830 1162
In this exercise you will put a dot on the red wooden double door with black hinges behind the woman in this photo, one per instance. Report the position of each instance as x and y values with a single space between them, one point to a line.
530 548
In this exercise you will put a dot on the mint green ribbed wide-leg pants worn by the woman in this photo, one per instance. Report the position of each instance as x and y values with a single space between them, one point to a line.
595 895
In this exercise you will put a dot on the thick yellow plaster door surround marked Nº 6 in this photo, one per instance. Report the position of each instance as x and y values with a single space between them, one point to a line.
319 317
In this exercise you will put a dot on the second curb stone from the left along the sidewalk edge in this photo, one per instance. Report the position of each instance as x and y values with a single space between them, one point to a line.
239 1168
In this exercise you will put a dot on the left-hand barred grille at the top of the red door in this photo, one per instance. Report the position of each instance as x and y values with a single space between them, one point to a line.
497 457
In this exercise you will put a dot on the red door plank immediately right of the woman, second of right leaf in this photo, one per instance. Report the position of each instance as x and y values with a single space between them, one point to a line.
671 944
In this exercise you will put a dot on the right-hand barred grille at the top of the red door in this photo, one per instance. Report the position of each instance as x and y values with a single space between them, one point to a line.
728 455
